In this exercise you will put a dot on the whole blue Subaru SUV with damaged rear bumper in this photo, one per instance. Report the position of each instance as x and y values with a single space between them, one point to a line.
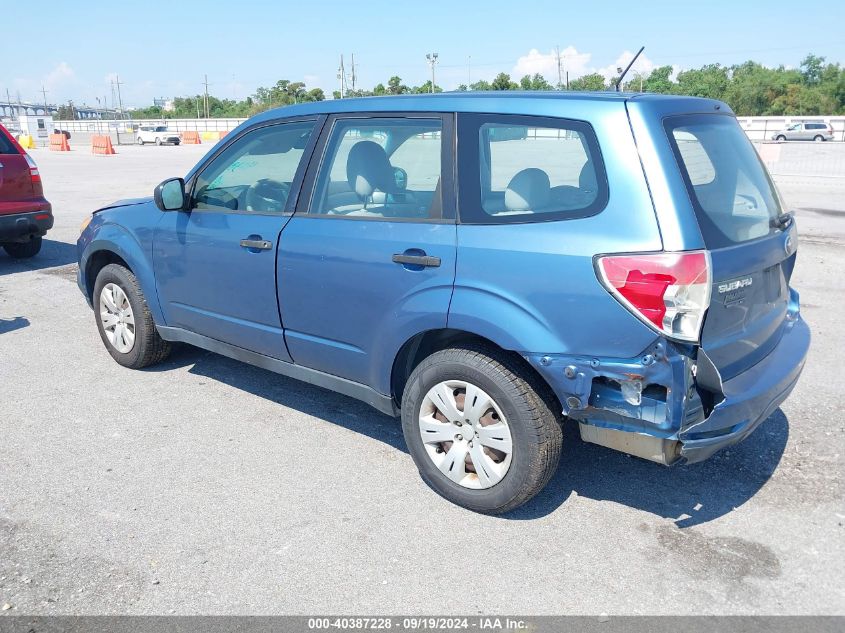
486 265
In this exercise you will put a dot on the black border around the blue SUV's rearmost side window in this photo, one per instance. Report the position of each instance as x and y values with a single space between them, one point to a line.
470 210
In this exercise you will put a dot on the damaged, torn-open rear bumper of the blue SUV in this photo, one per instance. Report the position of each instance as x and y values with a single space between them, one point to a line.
654 407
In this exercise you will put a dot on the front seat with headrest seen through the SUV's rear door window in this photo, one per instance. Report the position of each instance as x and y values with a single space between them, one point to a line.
368 170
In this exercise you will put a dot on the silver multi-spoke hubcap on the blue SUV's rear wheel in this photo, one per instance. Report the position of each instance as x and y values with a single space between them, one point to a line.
465 434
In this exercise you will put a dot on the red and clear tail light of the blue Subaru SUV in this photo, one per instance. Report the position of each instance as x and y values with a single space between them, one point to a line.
669 291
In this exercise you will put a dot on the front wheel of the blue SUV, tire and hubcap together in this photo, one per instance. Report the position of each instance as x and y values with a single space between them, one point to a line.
124 320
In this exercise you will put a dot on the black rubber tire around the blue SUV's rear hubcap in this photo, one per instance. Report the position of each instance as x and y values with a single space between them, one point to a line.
526 402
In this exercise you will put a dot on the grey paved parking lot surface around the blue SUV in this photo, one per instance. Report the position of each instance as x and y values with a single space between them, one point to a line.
206 486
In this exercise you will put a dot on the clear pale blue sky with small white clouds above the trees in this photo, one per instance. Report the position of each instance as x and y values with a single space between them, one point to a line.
165 48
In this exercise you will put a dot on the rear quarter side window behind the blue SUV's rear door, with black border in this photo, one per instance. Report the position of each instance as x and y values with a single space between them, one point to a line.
528 169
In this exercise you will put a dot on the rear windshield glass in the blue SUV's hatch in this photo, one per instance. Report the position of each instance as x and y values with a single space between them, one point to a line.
733 195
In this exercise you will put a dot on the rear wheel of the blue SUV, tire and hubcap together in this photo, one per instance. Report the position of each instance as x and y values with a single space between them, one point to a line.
481 428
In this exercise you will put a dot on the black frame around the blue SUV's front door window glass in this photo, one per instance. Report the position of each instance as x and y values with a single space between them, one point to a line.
299 176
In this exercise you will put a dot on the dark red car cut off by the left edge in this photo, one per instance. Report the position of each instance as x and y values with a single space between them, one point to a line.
25 215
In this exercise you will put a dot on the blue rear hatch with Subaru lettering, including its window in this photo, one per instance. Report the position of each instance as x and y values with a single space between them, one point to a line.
751 241
